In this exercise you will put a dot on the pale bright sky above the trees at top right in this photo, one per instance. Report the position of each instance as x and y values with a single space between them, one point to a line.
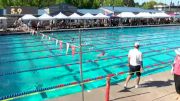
163 1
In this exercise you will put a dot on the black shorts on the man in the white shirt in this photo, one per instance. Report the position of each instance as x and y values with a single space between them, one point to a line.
133 69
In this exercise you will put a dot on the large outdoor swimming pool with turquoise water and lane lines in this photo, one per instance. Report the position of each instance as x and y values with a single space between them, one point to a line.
29 63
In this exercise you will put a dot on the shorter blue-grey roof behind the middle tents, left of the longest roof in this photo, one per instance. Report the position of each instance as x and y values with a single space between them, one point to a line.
92 11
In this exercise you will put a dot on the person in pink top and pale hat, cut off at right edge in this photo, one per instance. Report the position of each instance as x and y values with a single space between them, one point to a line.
176 71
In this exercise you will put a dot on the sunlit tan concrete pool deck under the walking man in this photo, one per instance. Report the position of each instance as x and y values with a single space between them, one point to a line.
157 87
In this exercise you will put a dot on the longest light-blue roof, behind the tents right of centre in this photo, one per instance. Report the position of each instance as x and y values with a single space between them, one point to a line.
126 9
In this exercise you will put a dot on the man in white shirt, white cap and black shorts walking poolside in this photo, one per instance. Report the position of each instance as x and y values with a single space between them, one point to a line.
135 64
